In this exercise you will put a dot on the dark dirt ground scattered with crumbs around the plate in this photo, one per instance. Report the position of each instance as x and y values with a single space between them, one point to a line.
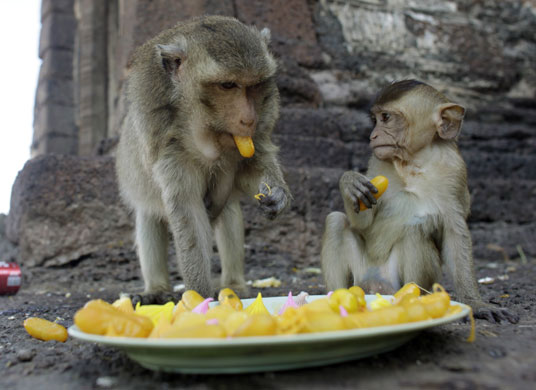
502 356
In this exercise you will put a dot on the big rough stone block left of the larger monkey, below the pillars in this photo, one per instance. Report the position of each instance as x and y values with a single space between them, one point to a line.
65 207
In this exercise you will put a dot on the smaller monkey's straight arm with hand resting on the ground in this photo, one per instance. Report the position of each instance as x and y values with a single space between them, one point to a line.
456 251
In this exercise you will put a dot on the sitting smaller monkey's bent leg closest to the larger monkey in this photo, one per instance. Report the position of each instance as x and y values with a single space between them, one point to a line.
342 252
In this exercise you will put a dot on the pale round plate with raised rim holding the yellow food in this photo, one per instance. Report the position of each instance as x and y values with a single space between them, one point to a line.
266 353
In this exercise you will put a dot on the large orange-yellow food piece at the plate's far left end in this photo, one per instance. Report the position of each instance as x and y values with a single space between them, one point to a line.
100 317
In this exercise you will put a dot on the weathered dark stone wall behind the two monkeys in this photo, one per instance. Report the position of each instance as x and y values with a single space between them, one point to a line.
333 56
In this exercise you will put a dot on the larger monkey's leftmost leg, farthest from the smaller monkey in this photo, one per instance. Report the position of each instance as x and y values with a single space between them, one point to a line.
152 243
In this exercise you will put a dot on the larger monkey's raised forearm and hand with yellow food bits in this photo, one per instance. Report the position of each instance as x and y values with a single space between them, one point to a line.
262 175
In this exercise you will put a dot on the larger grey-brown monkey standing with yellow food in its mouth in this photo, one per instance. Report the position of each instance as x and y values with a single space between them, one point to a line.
191 90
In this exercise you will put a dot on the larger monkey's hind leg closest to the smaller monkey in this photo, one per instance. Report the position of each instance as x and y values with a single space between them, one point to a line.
229 229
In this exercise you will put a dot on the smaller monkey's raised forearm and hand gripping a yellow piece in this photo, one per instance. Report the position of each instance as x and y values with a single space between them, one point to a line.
355 187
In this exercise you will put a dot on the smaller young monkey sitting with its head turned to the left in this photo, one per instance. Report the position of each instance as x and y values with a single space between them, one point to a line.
419 223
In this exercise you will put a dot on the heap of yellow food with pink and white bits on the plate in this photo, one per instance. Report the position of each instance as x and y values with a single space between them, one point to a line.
193 317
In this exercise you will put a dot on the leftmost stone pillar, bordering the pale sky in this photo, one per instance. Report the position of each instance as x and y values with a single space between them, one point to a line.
54 125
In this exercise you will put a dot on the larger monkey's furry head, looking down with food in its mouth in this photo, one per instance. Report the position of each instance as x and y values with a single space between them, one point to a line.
222 71
